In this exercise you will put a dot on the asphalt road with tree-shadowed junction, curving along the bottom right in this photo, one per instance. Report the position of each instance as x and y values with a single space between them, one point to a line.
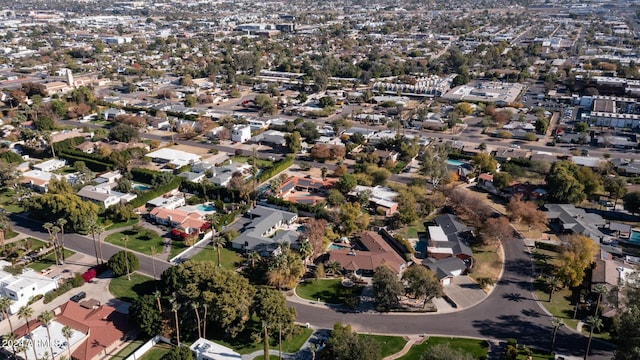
510 311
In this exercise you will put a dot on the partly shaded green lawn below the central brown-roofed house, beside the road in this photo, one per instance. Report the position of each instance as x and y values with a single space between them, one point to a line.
329 291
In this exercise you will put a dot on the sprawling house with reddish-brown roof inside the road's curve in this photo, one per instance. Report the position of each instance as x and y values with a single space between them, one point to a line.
369 251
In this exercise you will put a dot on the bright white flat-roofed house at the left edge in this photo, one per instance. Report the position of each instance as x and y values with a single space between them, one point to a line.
21 288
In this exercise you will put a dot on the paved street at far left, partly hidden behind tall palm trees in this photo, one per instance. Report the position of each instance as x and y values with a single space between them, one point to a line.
84 244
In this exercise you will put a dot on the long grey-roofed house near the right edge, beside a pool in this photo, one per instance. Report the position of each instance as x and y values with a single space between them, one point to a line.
567 219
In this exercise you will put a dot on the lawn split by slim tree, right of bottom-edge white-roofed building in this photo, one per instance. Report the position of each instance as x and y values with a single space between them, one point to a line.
244 345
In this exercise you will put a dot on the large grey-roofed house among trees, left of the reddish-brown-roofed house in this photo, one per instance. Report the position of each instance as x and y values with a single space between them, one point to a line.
266 231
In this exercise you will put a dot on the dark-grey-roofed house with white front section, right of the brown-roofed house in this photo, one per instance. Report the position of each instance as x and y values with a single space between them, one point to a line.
448 238
